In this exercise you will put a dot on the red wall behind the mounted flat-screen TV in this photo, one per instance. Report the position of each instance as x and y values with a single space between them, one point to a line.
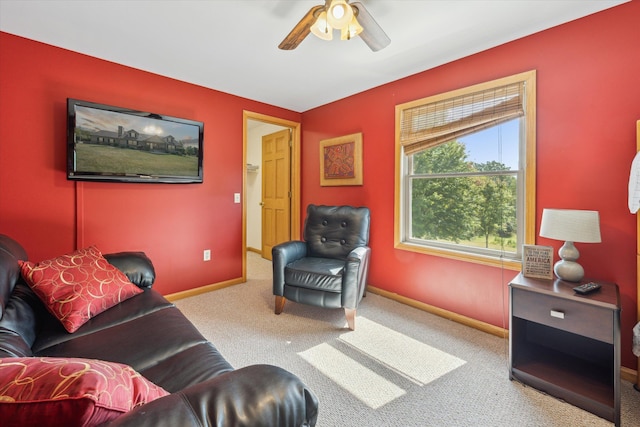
173 224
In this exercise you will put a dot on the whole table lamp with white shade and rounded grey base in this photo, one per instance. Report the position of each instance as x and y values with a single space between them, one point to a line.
571 226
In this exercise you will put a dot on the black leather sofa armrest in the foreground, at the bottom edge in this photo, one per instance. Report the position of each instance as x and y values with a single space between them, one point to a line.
254 396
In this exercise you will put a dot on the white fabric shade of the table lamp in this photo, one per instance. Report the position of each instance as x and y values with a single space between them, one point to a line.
571 225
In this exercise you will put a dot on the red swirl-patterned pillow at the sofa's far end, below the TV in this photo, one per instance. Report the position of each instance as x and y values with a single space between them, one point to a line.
77 286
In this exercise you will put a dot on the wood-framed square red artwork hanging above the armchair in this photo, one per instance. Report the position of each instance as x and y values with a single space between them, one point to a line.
341 160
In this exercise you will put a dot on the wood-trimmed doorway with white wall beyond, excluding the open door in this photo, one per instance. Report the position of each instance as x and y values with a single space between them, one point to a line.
255 127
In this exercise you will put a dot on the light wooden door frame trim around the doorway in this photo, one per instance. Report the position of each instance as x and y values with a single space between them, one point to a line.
295 176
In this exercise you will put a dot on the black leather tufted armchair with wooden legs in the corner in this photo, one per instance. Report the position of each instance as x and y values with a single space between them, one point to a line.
330 267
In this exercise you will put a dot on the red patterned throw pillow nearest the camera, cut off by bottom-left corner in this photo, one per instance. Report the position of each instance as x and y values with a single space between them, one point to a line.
46 391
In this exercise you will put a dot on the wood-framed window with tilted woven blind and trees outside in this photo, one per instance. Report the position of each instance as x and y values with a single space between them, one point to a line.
465 172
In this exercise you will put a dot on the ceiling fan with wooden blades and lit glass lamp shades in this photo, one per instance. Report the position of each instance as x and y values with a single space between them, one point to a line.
352 19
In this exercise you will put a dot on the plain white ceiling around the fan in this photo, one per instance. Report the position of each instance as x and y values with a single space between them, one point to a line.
232 45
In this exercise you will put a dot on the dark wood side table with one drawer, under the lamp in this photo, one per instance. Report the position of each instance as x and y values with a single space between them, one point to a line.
567 345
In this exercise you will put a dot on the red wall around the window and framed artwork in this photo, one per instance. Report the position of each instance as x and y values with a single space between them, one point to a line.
588 101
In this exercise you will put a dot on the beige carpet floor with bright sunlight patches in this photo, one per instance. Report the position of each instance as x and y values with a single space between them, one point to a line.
400 367
